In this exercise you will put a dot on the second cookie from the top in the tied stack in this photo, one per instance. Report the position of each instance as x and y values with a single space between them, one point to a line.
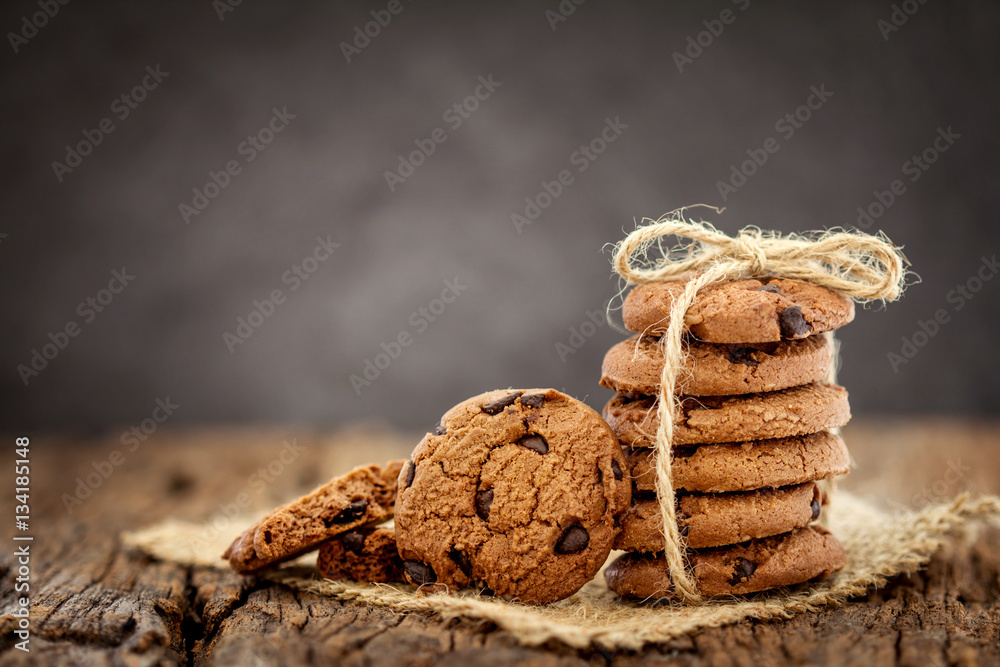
635 365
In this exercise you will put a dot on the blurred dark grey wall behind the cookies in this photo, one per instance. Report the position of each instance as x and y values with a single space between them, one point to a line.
520 294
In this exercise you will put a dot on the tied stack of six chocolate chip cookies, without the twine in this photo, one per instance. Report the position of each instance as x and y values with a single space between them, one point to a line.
756 431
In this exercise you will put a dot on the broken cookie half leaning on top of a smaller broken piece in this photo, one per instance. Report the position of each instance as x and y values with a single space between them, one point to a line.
365 495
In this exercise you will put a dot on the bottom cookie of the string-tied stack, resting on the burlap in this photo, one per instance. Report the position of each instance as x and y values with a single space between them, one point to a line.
758 565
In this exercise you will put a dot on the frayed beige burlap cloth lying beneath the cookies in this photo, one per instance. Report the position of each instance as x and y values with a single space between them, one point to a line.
879 546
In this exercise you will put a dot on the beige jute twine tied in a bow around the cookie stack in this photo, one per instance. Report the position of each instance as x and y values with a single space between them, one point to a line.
857 265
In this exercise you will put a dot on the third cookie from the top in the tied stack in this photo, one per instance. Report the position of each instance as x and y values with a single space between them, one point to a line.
711 419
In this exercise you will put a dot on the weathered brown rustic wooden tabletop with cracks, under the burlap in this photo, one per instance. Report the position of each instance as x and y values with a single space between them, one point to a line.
97 603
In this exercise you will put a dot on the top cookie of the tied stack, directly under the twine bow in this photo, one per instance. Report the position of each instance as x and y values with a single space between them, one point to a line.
740 311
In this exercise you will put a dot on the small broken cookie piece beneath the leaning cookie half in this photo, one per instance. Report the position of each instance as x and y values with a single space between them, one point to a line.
362 554
